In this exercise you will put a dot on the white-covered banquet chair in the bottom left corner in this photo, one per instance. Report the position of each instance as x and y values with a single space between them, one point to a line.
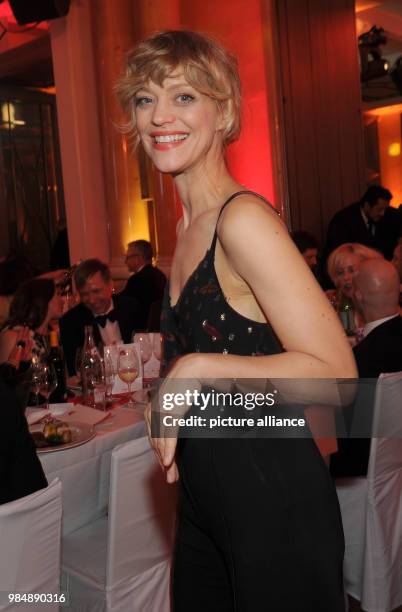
30 531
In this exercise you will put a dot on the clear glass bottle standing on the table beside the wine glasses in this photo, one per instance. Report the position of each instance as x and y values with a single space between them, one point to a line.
92 372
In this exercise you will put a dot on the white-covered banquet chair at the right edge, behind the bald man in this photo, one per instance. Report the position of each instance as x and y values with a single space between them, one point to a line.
372 508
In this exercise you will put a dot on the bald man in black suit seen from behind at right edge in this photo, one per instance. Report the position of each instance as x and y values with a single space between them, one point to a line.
376 296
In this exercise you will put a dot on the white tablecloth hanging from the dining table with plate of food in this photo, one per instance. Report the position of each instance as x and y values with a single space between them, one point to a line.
84 470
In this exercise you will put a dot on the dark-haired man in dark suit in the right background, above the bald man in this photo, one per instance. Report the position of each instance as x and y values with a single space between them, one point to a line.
371 222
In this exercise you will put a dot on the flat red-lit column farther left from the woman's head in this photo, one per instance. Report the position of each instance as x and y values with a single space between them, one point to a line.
80 142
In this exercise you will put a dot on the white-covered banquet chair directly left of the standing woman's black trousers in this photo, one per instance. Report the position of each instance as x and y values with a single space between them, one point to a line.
122 562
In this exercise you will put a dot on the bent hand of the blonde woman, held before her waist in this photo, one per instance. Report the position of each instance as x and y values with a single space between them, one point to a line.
186 371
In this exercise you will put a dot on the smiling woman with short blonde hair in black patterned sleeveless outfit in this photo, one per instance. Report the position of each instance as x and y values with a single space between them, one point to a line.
259 525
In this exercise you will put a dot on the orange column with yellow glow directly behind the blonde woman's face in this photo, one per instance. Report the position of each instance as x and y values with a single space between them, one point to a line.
140 202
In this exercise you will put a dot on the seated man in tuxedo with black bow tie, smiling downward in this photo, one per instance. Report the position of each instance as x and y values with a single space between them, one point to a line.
114 318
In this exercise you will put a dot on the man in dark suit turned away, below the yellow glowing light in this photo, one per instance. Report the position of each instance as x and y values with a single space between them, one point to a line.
147 284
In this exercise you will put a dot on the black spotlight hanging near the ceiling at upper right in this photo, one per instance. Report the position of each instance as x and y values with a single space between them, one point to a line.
372 66
